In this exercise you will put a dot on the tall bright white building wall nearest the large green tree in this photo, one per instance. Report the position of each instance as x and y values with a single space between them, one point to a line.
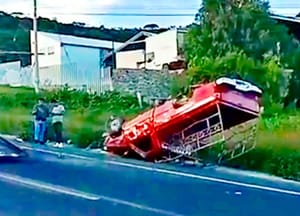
164 48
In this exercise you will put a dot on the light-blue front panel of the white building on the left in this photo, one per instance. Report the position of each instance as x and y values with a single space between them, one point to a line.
81 66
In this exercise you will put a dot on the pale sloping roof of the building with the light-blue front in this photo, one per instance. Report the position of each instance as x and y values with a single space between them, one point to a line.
81 41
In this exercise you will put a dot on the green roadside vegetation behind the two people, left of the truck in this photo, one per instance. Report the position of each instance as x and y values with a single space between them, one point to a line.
85 117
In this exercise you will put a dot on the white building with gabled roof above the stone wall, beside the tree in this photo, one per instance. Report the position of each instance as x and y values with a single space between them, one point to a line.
153 51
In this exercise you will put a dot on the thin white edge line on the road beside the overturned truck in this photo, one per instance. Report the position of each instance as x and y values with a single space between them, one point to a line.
206 178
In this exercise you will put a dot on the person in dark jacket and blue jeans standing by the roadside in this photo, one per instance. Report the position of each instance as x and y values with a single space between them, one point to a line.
40 112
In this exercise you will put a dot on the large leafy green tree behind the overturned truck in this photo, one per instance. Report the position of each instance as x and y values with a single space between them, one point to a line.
234 37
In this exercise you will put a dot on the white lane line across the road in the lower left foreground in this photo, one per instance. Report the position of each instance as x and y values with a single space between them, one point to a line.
43 186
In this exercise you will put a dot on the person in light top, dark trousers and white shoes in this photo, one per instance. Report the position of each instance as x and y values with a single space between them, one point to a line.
57 113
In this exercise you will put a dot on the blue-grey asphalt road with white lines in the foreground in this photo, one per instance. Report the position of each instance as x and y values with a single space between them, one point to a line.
48 185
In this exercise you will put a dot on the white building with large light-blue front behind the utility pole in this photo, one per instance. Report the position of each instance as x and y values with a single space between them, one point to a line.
72 60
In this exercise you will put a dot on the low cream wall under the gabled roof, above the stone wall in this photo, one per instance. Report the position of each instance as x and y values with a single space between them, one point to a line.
129 59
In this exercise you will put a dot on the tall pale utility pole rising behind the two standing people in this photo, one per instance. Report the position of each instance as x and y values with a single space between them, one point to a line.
36 63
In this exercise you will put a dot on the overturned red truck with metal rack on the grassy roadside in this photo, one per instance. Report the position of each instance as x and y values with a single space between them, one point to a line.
222 113
